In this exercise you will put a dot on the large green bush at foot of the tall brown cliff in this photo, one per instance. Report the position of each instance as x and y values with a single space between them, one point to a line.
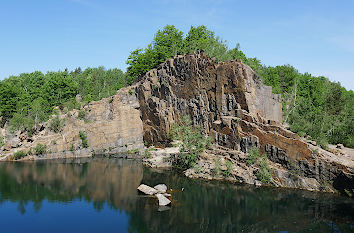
192 142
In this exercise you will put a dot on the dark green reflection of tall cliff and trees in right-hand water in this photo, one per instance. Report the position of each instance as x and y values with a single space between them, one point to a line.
221 207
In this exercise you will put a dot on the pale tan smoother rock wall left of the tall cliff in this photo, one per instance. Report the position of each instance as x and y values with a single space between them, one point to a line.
112 125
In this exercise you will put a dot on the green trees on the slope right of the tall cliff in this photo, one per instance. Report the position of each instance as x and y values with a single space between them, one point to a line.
313 105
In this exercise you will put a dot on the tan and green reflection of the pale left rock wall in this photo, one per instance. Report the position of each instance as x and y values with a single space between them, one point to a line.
97 179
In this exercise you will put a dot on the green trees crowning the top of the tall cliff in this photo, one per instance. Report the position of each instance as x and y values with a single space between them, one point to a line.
169 42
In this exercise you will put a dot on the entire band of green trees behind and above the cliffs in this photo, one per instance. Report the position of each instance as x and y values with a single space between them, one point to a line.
313 106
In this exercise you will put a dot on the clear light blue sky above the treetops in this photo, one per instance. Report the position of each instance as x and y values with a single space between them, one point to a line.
49 35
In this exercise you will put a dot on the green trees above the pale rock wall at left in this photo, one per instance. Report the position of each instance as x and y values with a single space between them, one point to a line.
29 99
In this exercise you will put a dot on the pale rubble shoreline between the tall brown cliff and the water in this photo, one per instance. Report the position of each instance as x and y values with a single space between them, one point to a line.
213 165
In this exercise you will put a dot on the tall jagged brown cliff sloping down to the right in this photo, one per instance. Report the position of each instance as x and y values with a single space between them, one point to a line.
238 111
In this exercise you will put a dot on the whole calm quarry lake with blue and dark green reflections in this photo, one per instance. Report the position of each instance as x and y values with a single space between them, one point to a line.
100 195
